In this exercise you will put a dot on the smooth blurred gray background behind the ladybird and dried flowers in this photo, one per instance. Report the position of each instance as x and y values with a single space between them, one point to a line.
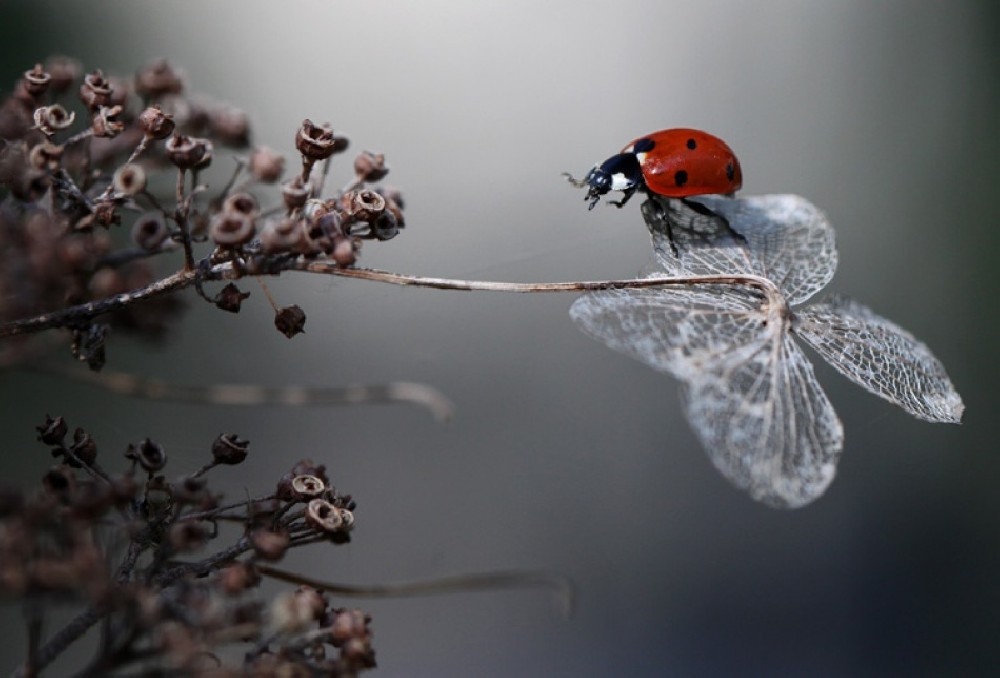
564 455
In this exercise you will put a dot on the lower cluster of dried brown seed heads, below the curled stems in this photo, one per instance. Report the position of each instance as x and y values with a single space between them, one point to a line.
135 548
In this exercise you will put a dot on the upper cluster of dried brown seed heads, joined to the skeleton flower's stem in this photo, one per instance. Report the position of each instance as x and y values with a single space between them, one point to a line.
84 156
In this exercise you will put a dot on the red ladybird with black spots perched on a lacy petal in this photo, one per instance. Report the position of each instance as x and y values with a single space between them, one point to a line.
674 163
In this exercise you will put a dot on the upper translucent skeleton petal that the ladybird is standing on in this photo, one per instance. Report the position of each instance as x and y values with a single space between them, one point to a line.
784 238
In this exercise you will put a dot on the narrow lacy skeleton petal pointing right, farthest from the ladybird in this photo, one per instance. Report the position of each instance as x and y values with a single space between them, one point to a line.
879 355
